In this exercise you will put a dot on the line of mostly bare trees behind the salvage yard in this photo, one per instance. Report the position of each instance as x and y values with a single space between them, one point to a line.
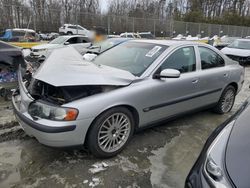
49 15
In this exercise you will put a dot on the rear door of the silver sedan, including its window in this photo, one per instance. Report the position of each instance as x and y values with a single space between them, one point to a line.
213 75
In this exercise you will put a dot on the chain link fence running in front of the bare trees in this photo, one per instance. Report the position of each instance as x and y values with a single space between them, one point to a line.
49 20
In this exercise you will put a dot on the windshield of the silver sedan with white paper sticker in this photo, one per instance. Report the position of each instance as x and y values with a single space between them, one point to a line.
134 57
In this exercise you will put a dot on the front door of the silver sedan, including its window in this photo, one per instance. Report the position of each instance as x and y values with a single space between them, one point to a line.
172 96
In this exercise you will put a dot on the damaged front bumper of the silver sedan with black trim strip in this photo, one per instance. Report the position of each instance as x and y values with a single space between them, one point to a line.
48 132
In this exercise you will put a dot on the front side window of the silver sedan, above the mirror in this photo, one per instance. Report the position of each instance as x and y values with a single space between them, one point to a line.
182 59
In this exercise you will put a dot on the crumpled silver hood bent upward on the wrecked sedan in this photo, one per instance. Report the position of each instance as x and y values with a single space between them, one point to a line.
66 67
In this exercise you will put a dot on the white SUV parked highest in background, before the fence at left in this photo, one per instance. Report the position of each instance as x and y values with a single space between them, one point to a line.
69 29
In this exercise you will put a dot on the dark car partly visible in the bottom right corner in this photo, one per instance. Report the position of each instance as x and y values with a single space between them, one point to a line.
224 160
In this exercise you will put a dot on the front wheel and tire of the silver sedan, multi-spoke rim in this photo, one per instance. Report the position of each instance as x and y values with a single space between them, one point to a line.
103 133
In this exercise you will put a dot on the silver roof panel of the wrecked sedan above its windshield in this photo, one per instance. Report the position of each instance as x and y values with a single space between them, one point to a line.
167 42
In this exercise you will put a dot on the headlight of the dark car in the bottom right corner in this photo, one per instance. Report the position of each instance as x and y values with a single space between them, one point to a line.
214 168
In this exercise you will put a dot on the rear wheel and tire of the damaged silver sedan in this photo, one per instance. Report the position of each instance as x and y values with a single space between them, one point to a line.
226 101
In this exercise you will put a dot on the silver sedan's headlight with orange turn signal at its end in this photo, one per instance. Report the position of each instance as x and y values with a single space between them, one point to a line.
57 113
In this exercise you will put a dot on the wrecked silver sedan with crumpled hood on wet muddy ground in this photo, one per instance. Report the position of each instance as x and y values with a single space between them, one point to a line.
100 104
